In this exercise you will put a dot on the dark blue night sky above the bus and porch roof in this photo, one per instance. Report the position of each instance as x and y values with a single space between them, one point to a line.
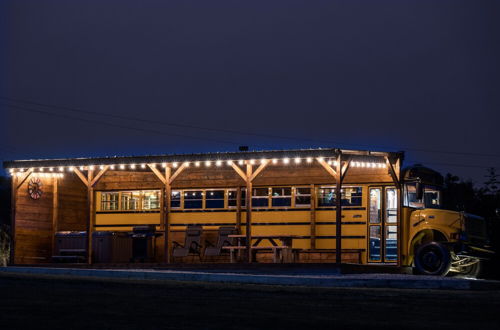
202 76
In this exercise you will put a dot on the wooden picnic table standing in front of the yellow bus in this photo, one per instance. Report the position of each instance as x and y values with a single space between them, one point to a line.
282 252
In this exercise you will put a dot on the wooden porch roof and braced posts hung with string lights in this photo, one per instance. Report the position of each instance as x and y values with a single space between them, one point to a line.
247 165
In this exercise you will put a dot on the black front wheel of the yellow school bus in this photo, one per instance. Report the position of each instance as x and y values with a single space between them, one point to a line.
432 258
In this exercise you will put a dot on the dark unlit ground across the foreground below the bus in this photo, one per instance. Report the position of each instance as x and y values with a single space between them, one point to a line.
44 302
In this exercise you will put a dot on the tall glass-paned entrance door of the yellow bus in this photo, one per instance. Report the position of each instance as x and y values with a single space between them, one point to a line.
383 225
